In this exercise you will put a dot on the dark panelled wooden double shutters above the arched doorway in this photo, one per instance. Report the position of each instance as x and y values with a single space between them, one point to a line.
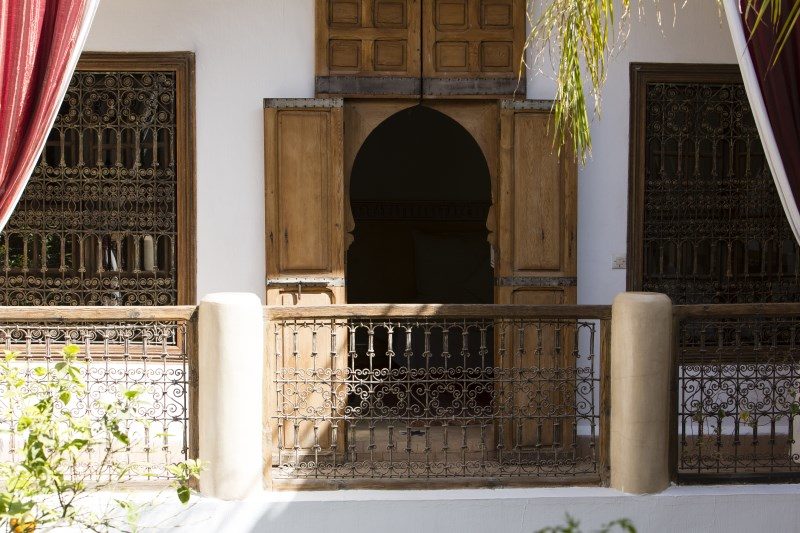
413 48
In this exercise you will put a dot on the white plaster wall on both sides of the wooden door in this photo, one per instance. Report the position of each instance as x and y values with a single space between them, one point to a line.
247 50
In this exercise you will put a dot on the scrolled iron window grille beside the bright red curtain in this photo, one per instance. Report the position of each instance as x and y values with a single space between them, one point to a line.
97 224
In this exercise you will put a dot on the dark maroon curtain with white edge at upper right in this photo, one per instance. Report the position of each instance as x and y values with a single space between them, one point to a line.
774 96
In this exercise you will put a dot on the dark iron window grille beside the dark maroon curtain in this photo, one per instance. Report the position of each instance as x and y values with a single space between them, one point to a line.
714 228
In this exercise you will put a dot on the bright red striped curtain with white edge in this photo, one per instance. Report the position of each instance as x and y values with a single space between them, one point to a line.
40 42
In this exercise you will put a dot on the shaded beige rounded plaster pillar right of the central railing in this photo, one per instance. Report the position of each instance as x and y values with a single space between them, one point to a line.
641 359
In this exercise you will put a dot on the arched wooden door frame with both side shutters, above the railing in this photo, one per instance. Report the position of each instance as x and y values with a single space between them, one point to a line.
311 146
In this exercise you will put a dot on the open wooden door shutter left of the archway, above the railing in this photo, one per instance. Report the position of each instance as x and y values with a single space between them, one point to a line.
304 202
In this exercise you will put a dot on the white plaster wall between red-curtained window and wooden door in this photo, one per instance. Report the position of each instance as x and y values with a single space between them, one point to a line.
246 50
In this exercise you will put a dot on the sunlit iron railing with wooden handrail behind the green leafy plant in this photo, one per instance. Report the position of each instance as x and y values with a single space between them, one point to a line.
150 349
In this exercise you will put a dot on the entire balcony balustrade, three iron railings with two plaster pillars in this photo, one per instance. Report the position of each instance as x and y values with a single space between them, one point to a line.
436 395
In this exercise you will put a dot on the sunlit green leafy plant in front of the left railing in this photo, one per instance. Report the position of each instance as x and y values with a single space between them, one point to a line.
44 489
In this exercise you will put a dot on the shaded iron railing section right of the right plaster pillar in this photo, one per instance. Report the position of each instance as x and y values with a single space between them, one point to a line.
737 371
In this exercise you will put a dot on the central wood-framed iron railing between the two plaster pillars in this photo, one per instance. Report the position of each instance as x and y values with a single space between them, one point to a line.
438 392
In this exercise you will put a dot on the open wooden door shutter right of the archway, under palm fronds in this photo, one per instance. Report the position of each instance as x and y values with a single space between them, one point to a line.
537 265
